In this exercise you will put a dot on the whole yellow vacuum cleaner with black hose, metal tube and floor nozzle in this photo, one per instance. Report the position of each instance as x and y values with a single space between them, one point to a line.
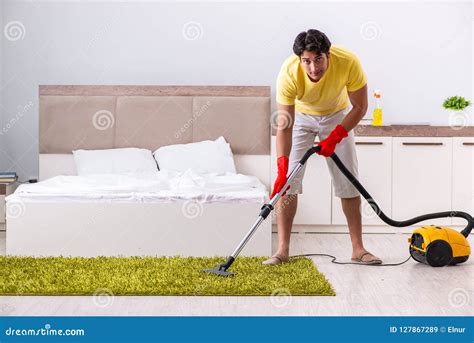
432 245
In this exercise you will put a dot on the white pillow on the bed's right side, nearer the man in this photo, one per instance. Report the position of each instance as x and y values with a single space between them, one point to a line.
202 157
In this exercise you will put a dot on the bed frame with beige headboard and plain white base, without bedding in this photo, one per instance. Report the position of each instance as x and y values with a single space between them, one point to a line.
102 117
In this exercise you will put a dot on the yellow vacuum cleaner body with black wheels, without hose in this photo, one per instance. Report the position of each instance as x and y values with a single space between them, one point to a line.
438 246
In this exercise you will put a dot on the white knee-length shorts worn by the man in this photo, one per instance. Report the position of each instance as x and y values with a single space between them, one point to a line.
305 130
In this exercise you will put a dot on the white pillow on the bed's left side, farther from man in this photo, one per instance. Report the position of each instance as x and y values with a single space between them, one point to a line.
114 161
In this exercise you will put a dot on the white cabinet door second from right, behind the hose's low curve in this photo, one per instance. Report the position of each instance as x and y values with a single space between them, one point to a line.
422 176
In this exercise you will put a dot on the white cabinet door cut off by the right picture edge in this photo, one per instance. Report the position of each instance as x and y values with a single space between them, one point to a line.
463 177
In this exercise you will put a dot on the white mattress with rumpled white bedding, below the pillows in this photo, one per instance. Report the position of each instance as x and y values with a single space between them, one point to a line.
163 186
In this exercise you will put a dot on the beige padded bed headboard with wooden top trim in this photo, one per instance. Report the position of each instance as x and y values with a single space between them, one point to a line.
105 117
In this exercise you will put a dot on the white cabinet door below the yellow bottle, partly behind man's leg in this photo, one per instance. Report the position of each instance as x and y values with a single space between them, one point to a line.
374 155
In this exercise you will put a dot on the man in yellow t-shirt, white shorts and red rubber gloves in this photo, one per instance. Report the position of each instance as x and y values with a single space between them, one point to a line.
314 88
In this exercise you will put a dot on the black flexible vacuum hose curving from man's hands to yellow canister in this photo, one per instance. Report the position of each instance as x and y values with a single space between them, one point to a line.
465 232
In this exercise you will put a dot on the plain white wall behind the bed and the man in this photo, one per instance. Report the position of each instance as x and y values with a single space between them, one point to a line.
417 53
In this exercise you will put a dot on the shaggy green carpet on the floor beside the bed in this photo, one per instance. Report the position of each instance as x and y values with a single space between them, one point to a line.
157 276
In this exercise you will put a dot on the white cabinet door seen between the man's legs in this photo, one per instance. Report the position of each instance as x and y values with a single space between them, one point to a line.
314 205
